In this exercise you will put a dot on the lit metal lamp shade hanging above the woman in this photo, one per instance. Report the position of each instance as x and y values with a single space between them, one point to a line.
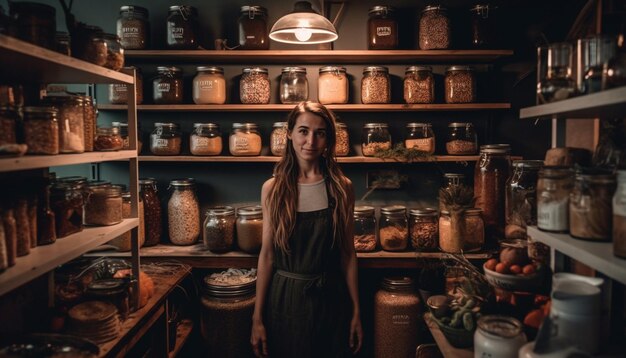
303 26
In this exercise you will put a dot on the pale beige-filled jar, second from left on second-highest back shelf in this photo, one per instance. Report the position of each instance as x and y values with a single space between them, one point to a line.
209 85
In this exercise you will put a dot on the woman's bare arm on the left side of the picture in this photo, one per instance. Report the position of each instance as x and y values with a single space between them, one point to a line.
258 338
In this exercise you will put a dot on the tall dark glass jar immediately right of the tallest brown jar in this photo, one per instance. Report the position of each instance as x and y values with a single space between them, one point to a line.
521 198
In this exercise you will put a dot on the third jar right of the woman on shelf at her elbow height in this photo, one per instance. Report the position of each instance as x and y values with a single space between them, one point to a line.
424 229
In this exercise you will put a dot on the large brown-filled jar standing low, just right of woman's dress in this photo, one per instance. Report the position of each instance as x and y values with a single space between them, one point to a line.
397 318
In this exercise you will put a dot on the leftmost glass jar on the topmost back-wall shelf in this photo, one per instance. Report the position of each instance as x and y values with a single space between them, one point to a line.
133 27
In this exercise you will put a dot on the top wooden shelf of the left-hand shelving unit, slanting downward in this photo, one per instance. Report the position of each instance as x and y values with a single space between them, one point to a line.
23 62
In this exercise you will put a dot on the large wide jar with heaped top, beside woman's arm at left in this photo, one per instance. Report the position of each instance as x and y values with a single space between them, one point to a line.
227 308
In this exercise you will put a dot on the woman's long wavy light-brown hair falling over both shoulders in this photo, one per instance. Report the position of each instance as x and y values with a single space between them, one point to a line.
284 192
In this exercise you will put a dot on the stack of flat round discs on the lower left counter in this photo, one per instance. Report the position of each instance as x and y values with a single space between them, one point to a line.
95 320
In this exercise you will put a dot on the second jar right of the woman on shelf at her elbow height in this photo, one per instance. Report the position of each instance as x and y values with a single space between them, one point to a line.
394 228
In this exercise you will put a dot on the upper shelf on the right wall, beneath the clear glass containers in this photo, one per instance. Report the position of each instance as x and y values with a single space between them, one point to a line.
605 104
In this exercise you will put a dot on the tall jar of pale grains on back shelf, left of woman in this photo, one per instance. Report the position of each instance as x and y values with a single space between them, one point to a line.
183 212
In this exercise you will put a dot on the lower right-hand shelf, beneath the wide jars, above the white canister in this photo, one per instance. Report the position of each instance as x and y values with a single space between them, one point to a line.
598 255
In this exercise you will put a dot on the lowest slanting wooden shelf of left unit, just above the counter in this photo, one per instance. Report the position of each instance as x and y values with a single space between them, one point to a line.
44 258
